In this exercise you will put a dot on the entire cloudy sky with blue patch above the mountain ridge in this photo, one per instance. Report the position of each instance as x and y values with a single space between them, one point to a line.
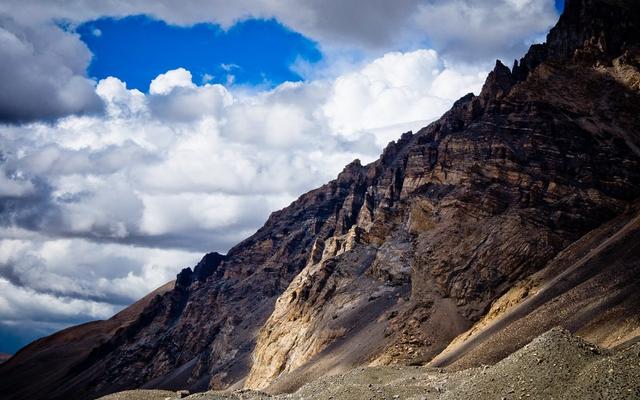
135 136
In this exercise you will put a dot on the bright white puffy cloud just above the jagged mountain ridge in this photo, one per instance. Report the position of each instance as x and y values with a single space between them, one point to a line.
394 89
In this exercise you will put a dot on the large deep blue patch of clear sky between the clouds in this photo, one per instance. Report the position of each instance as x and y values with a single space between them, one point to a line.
136 49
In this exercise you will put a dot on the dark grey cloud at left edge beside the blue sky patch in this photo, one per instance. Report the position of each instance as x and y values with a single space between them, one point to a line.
42 73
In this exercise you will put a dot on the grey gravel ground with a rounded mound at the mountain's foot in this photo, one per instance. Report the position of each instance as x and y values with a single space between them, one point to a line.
555 365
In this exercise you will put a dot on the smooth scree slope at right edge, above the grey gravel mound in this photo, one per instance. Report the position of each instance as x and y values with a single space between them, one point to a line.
591 287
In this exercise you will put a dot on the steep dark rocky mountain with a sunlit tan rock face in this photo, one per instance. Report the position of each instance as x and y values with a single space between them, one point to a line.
515 212
